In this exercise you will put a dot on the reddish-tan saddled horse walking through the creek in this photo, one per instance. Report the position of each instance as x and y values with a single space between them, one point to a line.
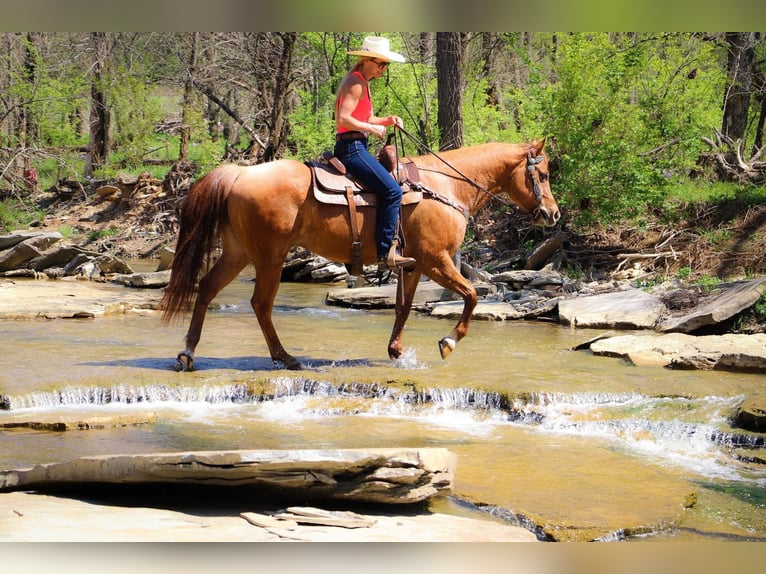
257 213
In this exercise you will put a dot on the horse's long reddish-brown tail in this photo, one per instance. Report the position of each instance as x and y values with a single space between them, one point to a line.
202 212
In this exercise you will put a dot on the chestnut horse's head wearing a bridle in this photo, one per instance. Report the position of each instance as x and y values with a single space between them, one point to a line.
531 186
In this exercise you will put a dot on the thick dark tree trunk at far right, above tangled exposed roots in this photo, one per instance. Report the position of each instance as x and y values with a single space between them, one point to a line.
736 103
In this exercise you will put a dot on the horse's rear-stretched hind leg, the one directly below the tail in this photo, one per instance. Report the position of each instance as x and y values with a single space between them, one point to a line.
223 272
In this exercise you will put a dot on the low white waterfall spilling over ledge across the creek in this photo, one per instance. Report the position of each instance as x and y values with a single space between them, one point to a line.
692 432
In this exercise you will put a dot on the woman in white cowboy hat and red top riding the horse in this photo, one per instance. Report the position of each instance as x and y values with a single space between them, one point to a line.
355 121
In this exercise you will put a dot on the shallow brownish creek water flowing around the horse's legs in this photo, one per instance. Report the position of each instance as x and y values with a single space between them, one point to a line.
554 439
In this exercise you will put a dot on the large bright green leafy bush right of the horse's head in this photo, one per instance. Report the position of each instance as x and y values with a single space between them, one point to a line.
618 100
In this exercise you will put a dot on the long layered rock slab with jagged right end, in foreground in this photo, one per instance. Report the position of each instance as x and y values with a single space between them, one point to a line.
389 476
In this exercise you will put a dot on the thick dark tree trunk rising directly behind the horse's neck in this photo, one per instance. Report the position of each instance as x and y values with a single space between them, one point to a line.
449 77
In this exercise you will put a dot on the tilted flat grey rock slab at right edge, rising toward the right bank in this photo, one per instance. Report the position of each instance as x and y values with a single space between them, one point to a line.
722 307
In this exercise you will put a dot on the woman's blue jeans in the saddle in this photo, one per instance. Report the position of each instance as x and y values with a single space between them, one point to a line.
368 170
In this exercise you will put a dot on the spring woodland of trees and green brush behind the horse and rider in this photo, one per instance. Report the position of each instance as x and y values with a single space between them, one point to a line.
655 140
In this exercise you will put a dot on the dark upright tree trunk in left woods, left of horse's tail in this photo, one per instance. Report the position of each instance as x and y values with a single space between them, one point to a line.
99 112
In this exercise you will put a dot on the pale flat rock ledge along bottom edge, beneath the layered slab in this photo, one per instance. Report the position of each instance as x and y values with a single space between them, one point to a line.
27 517
